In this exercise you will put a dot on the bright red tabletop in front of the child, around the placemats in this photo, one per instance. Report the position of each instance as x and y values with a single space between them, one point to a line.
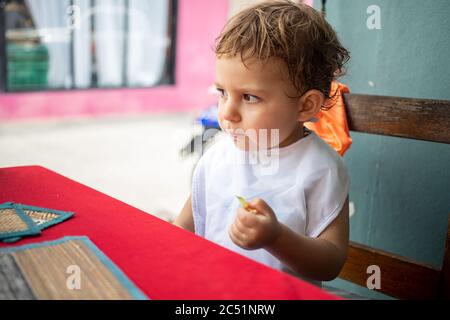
164 261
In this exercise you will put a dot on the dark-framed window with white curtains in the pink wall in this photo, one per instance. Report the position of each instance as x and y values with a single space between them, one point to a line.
80 44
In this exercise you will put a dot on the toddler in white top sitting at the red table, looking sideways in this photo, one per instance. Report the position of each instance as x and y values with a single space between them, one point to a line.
275 63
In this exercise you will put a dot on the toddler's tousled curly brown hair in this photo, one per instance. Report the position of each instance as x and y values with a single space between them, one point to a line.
293 32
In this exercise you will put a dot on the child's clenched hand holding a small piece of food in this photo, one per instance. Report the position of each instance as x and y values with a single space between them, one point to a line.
252 230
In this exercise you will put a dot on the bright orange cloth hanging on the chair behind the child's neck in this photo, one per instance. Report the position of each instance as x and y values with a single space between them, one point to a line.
332 124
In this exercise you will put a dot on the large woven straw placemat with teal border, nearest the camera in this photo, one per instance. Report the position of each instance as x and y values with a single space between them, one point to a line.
65 269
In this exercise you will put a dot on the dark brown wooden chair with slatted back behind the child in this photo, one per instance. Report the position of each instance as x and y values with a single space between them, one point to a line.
414 119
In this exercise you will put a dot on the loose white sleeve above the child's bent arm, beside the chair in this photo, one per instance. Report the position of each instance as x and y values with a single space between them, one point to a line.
325 195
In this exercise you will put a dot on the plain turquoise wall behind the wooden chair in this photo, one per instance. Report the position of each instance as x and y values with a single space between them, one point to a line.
400 187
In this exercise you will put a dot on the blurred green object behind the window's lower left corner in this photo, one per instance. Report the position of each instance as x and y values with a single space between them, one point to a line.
27 66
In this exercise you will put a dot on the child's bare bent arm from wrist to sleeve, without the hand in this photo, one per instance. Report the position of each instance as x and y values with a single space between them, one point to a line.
319 258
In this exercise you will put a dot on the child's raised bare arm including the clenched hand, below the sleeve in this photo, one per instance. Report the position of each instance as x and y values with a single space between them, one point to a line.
319 258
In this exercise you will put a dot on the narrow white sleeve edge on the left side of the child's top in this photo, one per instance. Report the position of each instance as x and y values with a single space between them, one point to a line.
198 198
